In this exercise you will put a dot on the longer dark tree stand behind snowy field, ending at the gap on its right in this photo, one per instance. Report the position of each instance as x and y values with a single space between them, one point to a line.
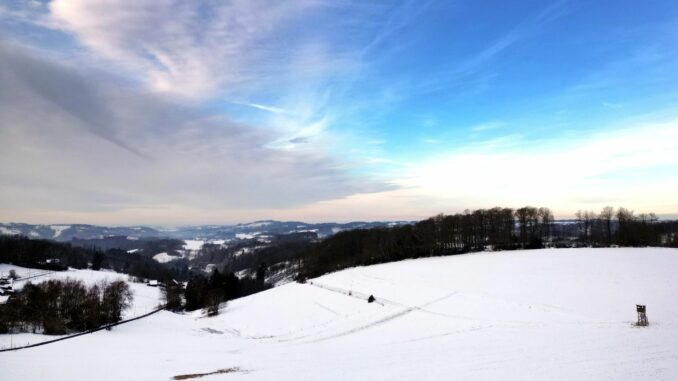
496 228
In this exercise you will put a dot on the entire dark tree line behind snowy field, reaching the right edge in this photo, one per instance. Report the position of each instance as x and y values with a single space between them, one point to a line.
485 229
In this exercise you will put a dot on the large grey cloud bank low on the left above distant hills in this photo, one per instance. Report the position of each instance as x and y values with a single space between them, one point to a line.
72 141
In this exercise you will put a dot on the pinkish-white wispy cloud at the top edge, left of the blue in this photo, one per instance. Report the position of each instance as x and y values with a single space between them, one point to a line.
192 49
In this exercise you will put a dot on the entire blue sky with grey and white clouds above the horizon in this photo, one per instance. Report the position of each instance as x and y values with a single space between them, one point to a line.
194 112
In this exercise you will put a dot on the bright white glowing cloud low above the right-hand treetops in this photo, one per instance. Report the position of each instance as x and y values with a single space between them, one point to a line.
633 167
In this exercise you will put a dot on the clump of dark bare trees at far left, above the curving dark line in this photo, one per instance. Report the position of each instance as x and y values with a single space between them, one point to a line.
62 306
